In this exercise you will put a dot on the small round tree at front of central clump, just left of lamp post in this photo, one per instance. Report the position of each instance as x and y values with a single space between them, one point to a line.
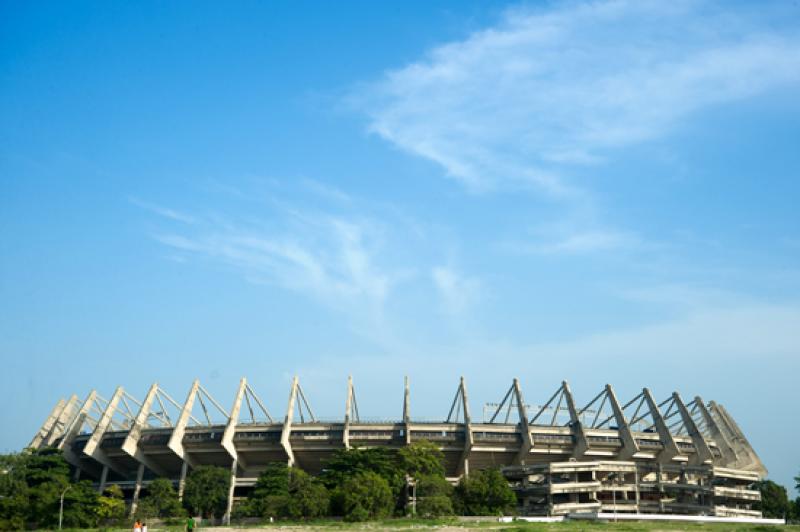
367 495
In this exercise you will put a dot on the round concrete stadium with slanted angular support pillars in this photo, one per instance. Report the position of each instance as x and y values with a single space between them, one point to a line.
643 456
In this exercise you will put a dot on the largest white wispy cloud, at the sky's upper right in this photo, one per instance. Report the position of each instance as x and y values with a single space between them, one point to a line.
513 104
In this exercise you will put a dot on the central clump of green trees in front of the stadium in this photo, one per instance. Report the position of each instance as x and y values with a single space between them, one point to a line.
364 484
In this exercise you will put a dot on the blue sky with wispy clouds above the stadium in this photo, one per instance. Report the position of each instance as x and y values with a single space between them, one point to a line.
598 192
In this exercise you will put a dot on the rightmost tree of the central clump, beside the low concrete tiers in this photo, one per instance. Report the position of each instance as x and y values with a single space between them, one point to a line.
484 492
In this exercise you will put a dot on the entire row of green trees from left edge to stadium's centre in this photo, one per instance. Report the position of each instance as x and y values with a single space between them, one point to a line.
357 484
